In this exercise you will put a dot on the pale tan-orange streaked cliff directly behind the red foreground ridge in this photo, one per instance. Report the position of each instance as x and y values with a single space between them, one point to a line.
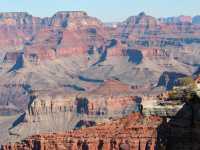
49 112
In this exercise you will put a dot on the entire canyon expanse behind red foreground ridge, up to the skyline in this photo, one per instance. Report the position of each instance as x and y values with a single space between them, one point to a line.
97 69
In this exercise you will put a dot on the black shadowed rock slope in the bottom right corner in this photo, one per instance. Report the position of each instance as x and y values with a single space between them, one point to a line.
182 131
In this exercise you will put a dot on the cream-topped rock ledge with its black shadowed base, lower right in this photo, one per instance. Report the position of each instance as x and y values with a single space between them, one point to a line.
180 129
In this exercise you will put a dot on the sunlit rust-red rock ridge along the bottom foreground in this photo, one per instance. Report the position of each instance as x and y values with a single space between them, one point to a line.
140 131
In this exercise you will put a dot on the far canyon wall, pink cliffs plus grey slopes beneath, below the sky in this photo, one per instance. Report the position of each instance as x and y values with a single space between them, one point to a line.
74 51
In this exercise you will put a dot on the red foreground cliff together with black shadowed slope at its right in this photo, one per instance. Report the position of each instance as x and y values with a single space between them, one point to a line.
179 131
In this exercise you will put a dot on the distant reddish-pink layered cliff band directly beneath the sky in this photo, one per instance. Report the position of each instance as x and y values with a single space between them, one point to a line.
75 33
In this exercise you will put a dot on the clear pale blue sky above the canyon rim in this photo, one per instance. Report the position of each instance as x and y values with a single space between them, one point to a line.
106 10
